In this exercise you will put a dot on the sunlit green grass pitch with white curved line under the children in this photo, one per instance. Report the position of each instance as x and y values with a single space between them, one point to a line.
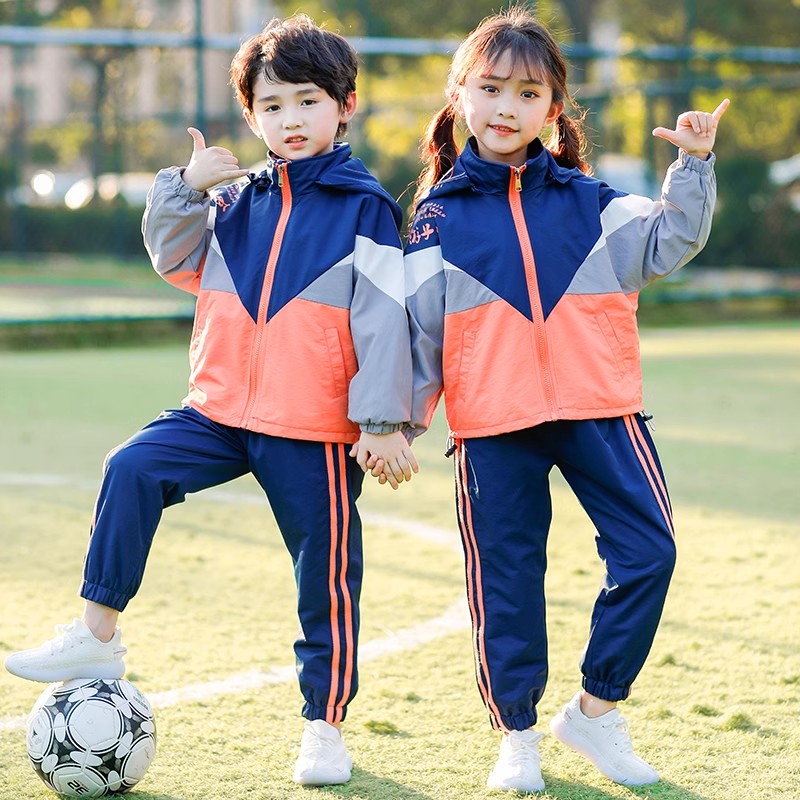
716 709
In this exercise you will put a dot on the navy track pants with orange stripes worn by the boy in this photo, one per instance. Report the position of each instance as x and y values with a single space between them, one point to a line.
311 487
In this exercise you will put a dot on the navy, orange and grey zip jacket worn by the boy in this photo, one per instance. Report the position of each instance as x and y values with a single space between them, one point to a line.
300 328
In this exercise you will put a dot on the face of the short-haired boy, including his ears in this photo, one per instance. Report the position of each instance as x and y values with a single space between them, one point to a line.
296 120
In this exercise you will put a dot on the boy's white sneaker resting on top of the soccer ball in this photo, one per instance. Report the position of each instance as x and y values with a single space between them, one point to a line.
72 653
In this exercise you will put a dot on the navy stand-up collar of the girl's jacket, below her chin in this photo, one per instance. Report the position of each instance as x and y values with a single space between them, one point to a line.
490 177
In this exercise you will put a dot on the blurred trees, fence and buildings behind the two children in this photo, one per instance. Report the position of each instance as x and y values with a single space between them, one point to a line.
96 96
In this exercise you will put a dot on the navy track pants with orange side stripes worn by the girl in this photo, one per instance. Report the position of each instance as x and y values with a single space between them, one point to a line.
504 514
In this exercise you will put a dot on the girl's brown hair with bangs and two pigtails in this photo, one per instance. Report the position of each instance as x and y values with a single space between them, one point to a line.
518 33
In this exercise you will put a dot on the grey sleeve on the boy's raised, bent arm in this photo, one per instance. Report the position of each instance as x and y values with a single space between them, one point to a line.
177 228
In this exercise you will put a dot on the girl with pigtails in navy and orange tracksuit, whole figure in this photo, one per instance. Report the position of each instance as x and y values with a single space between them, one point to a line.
522 280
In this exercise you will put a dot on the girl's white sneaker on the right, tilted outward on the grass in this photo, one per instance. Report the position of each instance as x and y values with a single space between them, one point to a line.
605 741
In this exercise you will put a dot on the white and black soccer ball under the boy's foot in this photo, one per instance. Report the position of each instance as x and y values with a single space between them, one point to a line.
89 737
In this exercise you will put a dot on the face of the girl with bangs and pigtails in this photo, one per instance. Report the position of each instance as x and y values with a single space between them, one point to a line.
506 110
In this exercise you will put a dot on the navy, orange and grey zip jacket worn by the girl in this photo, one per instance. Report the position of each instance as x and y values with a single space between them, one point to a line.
522 286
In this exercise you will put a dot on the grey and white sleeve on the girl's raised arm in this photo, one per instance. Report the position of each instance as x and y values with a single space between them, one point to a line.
648 239
